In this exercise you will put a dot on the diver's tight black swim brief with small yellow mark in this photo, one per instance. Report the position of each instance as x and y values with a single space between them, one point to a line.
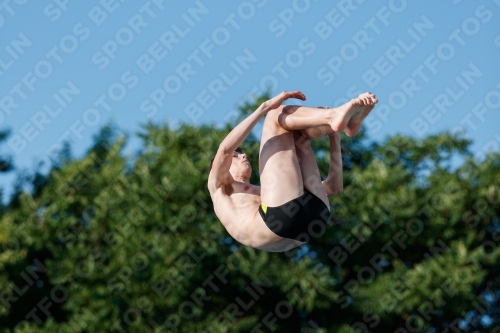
301 219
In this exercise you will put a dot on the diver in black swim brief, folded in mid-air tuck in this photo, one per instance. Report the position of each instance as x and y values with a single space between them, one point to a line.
292 199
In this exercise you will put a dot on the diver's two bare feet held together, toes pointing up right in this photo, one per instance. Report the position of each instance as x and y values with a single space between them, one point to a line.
349 116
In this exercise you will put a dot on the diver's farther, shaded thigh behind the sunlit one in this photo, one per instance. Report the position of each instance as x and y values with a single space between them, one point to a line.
309 168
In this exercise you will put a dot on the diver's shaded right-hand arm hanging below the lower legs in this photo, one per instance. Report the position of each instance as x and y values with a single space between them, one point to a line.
334 184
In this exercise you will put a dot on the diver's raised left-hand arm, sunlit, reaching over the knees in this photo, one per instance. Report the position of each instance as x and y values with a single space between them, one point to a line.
223 158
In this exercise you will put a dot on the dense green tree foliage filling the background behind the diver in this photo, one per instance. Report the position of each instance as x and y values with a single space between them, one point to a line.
111 243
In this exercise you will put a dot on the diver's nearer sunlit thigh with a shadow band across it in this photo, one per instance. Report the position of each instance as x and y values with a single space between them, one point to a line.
280 174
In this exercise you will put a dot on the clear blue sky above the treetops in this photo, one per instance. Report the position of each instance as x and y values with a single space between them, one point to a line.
68 67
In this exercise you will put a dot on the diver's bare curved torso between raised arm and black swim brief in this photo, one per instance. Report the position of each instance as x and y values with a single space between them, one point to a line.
236 206
